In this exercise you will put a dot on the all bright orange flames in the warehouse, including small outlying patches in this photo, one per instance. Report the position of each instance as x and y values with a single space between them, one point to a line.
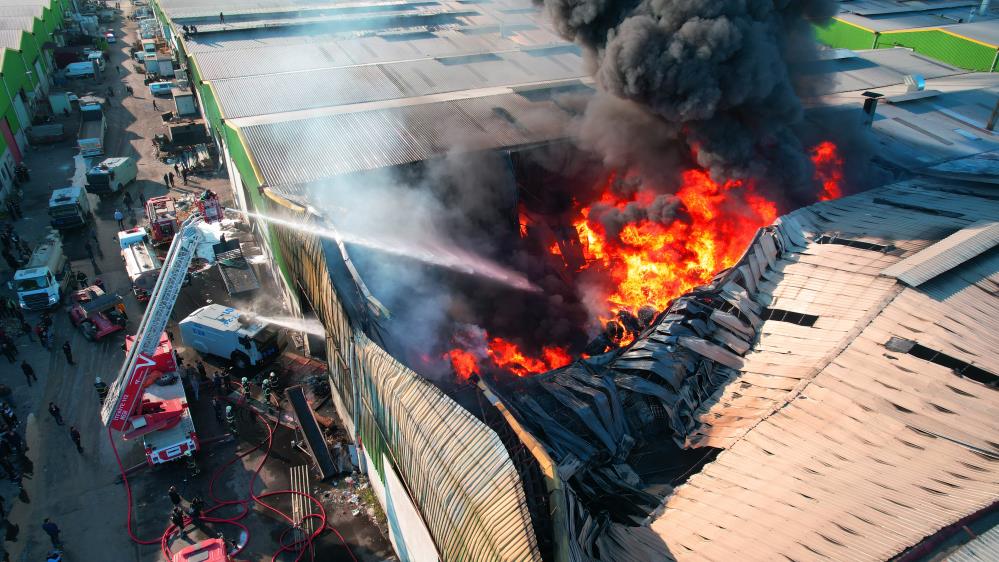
648 263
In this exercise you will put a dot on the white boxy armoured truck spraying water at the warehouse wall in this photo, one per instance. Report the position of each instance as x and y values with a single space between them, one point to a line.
226 332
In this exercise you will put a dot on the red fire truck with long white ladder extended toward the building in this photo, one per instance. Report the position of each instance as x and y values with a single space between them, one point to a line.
147 398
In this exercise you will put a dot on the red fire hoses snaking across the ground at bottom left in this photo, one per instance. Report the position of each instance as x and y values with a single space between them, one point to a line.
301 545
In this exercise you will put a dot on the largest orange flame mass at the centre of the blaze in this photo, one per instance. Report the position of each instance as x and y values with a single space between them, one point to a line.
652 263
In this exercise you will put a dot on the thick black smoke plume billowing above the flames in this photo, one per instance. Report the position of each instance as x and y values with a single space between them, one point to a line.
714 72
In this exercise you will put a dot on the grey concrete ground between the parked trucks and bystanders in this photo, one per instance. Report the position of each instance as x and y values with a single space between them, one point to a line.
81 492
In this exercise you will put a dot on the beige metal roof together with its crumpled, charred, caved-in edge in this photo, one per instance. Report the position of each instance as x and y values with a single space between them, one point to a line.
855 415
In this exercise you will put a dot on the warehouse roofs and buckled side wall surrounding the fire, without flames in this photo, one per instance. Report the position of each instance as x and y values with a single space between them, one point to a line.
834 395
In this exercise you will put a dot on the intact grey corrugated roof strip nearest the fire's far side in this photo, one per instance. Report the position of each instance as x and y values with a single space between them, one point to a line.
293 153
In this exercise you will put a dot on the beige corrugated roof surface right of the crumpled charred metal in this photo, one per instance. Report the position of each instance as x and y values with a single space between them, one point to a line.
835 446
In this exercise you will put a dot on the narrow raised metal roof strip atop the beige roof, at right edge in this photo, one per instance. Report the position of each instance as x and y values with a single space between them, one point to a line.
963 245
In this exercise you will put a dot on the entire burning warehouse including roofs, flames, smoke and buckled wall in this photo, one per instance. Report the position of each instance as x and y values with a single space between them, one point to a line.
574 317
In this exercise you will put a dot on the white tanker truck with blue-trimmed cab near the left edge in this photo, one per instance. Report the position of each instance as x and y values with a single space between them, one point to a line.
42 281
